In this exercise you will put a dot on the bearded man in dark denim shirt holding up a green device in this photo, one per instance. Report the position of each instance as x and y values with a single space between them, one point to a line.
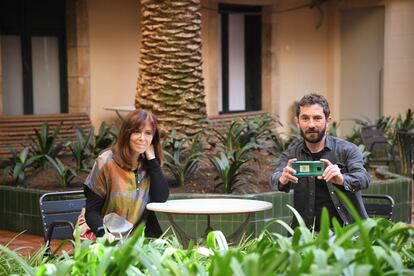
344 167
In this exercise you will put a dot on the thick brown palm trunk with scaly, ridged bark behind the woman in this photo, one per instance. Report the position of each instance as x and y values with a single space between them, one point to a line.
170 81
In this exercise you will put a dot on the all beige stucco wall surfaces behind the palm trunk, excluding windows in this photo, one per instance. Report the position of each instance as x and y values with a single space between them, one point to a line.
303 58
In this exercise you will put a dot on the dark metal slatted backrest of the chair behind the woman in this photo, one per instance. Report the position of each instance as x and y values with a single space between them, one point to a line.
59 212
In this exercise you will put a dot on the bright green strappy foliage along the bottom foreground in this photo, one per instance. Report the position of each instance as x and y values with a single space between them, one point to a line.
367 247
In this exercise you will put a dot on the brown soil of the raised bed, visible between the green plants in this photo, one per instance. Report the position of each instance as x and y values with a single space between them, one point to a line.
202 181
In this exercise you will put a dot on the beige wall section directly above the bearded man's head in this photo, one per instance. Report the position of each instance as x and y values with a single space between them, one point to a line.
303 59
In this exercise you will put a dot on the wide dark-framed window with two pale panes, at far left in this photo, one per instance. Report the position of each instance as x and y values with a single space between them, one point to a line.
33 56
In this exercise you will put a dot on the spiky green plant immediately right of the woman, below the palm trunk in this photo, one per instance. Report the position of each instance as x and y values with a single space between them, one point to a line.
183 160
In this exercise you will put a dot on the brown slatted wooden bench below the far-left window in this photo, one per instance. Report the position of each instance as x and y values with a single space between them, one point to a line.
19 131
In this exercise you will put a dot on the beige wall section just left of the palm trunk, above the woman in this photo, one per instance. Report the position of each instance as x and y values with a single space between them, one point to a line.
114 42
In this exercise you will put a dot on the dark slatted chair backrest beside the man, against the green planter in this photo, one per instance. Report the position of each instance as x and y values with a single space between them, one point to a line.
379 205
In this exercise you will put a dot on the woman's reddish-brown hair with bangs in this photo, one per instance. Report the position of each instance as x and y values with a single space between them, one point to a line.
136 120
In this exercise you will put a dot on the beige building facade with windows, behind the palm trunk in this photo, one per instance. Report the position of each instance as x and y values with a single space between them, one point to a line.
257 55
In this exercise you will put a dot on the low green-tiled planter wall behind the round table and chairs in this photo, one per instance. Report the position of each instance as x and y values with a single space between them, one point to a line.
19 208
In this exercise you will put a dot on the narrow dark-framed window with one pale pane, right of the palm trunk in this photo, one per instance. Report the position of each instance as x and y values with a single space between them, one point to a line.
240 58
